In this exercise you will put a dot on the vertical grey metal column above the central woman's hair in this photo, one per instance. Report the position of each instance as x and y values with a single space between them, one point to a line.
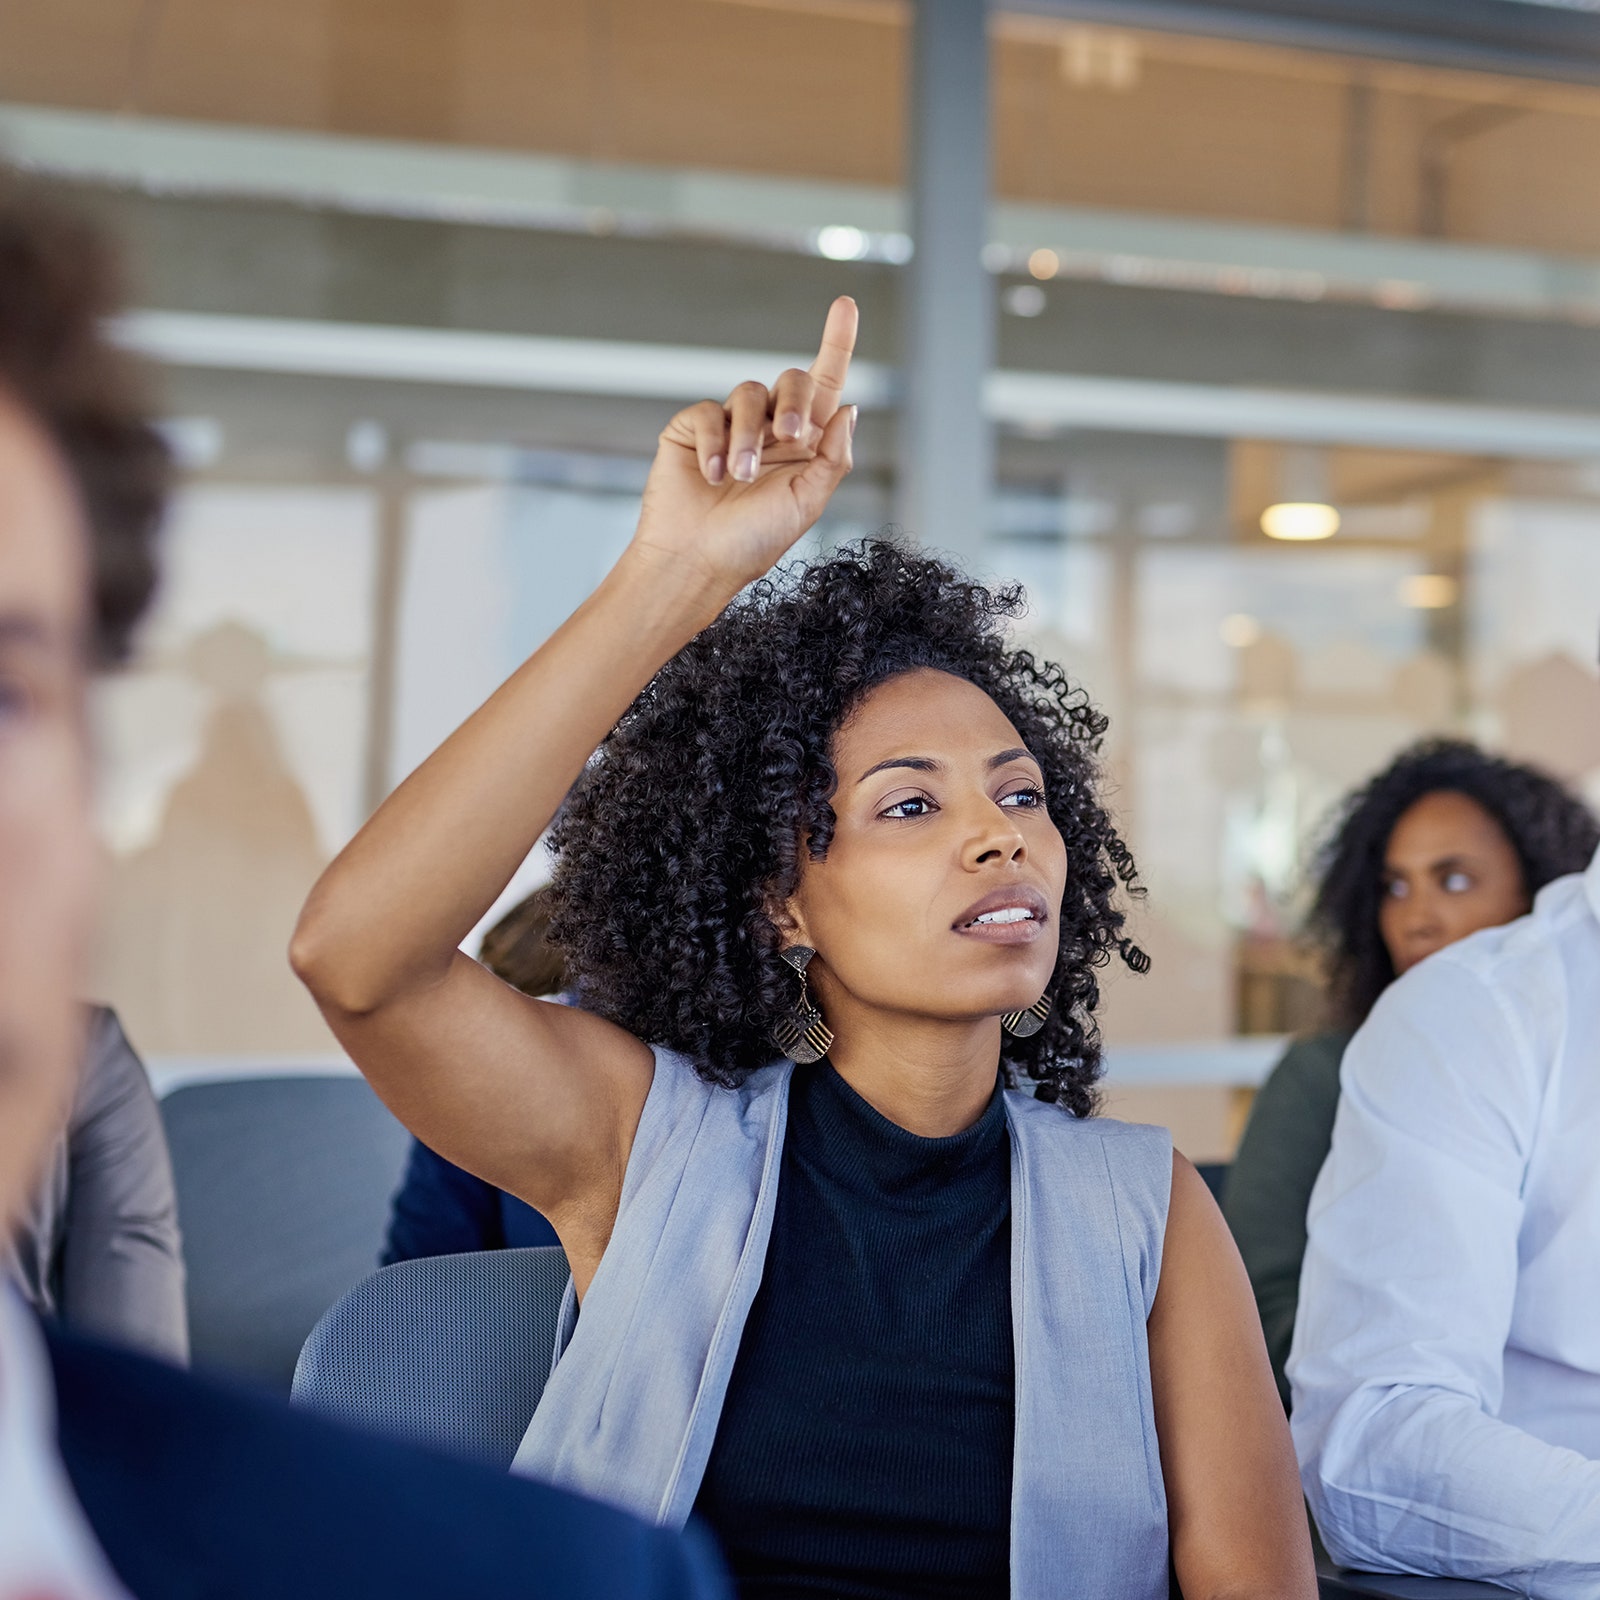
946 455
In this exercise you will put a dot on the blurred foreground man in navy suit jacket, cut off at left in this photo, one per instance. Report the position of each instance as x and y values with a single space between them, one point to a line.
119 1474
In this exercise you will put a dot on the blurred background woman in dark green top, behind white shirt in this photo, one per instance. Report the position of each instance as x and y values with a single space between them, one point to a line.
1444 842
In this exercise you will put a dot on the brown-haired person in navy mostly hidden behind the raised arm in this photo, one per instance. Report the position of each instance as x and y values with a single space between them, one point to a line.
442 1209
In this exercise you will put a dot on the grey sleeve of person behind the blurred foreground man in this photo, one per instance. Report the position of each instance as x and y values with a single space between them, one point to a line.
121 1265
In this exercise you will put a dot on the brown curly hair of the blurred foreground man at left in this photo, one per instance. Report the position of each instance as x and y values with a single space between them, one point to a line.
60 282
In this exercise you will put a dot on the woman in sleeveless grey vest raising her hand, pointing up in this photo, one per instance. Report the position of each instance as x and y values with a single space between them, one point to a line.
833 879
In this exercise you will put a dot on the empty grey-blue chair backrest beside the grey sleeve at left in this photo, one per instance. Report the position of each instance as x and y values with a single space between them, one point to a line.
284 1190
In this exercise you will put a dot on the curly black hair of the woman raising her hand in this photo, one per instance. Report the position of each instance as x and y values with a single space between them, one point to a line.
690 823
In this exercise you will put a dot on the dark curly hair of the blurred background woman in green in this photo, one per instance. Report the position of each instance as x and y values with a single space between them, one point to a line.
1550 828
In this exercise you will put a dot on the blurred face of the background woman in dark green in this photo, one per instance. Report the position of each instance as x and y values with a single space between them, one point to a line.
1449 871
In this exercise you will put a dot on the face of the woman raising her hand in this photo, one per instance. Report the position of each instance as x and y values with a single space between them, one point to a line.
942 892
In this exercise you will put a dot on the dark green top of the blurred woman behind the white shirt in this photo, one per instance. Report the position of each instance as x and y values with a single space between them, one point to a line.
1270 1185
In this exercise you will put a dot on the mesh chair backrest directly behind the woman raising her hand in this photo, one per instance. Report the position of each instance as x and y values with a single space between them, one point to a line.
447 1351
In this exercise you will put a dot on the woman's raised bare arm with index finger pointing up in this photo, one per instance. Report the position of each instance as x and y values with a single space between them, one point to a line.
535 1098
